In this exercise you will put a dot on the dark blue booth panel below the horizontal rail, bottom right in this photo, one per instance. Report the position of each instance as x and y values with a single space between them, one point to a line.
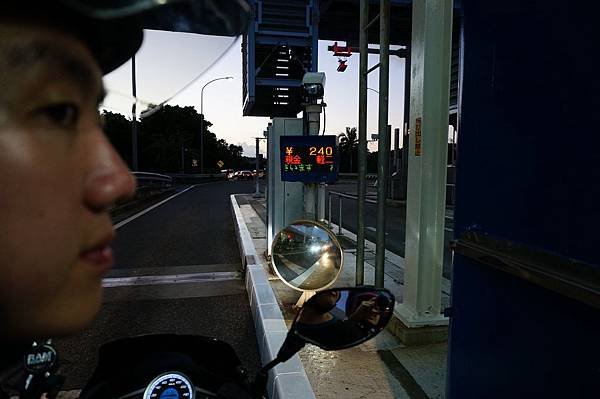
512 339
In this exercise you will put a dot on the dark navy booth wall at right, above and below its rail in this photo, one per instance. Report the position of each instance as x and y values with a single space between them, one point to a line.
527 172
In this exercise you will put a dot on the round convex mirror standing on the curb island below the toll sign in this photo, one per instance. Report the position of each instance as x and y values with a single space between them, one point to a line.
307 256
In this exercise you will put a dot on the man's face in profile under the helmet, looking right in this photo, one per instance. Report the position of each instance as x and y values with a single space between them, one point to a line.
58 177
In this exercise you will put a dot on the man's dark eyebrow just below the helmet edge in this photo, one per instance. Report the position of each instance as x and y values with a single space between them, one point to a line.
38 52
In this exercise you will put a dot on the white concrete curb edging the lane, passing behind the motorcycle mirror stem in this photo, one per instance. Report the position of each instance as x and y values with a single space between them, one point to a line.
287 380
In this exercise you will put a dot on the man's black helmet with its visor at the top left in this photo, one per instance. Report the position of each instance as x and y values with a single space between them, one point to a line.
113 28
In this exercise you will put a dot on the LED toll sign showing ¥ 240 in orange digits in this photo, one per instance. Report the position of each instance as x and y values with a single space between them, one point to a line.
309 159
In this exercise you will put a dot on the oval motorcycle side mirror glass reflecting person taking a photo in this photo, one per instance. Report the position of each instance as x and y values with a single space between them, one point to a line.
341 318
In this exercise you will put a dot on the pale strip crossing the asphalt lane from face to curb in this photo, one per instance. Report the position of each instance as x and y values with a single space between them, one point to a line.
170 279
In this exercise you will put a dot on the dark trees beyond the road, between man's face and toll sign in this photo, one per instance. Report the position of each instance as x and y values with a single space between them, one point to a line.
169 141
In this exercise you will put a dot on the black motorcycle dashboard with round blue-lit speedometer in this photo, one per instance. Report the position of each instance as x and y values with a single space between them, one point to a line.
162 366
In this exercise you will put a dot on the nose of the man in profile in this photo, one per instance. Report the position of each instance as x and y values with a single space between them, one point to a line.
109 181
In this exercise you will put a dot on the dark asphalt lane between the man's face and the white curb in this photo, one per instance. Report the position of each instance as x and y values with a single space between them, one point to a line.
177 270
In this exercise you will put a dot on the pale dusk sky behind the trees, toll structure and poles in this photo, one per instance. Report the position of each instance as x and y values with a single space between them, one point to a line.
168 61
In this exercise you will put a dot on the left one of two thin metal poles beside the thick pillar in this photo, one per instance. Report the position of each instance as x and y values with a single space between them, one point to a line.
362 142
